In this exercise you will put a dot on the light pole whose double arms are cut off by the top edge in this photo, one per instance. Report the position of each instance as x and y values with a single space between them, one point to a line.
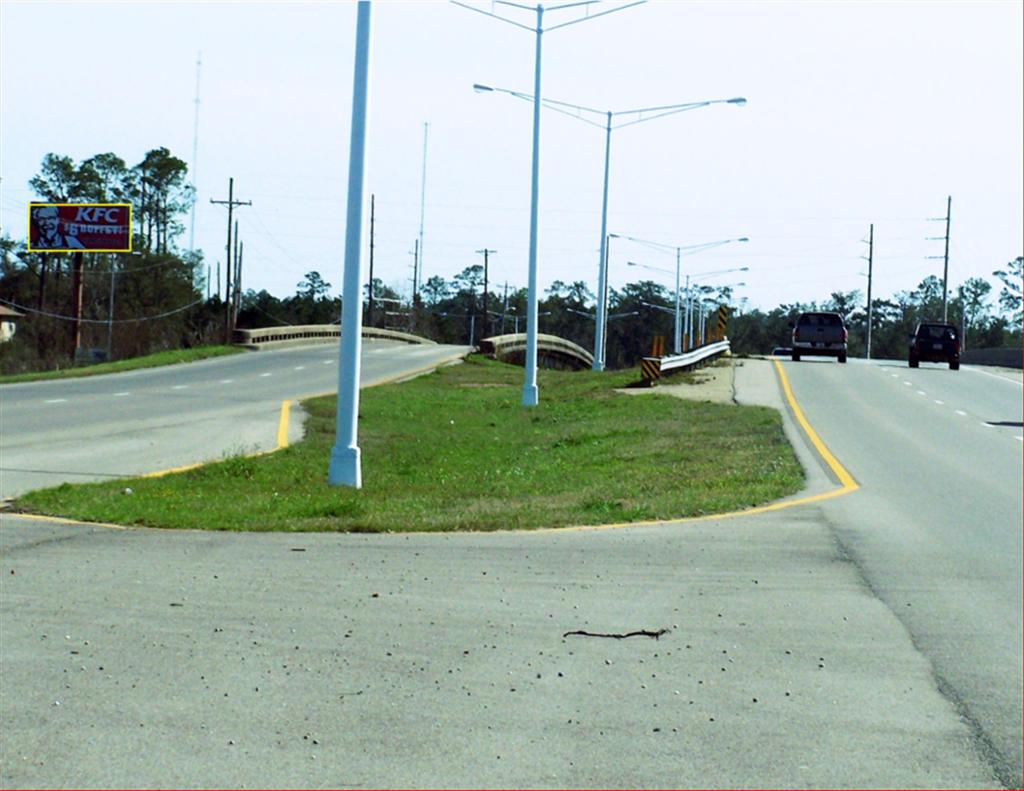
530 392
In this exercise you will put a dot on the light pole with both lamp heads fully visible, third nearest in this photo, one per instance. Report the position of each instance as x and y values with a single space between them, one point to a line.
638 116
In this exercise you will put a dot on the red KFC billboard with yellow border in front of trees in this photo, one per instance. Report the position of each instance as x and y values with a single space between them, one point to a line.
74 228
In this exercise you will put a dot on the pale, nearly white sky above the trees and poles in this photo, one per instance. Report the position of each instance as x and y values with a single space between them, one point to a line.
859 113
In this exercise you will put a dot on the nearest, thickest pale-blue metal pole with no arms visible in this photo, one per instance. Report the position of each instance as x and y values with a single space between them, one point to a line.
346 468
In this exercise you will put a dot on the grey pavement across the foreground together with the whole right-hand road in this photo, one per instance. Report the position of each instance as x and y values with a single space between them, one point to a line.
799 653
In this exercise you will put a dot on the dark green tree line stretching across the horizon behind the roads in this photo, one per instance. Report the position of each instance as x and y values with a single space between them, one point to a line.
157 293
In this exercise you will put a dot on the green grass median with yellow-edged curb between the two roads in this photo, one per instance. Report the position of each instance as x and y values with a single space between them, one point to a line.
455 451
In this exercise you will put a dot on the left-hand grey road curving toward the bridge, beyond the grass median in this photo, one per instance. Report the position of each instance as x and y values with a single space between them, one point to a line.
160 419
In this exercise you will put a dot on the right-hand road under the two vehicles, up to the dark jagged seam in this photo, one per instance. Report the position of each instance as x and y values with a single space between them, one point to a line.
936 530
